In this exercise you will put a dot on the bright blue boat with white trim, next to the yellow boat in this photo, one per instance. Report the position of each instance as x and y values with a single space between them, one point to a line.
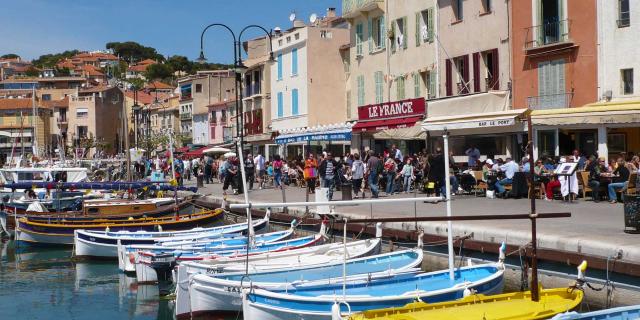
321 302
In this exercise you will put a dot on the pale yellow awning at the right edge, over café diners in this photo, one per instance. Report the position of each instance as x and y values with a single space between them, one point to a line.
619 112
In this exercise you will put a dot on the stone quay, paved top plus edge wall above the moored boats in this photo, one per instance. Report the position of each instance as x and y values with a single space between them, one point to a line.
594 232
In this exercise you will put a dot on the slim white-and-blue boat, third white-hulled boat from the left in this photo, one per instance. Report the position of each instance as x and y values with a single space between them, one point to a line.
145 262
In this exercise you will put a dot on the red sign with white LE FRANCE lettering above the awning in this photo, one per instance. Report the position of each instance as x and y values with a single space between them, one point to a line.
396 109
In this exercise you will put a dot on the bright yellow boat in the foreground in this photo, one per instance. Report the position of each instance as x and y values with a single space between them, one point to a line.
508 306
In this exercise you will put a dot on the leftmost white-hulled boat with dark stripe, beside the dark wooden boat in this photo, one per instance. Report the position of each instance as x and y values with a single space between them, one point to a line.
105 244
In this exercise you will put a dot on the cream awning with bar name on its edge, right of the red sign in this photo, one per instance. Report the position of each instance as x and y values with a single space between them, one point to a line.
491 121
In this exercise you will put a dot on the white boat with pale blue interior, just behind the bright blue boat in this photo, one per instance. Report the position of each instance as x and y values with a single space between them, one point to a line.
222 292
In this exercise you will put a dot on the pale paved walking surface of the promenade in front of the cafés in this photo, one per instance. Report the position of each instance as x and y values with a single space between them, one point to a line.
594 229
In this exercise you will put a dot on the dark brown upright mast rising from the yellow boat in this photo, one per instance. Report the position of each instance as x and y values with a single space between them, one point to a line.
534 241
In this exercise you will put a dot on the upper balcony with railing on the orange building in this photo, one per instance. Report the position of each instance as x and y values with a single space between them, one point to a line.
548 37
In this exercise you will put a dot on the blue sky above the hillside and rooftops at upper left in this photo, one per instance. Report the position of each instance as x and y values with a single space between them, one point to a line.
31 28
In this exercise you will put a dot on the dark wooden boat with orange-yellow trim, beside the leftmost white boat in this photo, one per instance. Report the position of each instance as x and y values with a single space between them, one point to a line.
61 231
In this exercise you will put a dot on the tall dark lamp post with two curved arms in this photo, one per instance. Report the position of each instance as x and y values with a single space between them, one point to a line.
239 68
